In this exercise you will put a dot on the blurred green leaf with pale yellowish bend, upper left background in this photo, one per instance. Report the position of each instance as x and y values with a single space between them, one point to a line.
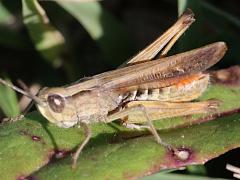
47 40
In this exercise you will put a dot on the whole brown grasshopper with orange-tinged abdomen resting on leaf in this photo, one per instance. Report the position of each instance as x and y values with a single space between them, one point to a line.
141 91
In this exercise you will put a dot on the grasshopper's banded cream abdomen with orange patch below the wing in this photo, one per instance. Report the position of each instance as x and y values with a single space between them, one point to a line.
186 89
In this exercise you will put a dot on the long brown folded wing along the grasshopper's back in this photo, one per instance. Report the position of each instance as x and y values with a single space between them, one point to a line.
163 70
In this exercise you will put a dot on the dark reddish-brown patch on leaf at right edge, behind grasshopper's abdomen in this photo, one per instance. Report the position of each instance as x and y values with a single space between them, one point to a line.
229 76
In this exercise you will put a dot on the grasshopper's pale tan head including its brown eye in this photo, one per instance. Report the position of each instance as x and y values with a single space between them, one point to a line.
58 107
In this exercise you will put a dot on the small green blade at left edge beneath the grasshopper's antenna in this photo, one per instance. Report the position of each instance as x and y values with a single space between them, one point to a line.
9 102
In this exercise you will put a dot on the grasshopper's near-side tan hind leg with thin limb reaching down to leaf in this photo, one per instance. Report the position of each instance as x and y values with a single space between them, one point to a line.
146 111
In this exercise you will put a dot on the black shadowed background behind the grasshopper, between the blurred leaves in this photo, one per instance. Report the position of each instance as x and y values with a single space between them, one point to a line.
142 21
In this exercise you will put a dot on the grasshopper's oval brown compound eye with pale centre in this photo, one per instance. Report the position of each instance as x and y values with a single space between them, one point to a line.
56 103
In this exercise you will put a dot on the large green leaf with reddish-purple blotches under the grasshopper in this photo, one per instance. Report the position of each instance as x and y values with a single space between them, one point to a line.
116 152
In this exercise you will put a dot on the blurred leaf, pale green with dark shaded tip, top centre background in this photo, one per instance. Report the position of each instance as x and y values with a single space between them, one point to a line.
109 34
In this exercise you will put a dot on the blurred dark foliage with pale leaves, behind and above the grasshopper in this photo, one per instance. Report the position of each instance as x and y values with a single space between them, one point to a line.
54 43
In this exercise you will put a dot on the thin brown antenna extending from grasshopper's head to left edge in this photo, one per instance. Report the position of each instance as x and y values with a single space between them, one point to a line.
25 93
